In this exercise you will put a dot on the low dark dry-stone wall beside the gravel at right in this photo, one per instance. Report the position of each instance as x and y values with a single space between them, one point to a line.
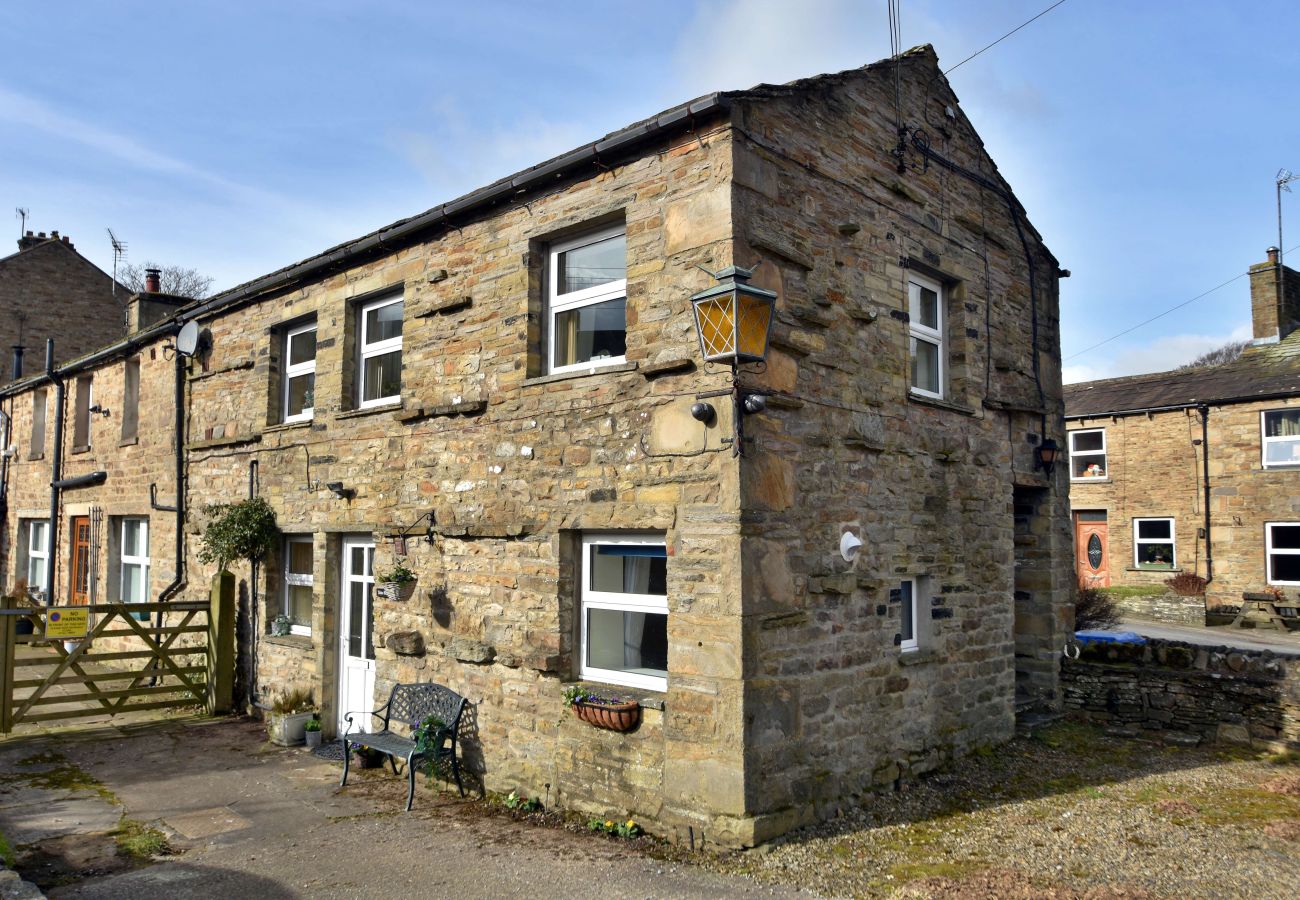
1189 694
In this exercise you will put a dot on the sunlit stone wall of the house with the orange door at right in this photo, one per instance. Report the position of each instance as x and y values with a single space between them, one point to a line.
1155 470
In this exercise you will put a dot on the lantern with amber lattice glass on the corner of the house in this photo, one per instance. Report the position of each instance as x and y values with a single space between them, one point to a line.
734 322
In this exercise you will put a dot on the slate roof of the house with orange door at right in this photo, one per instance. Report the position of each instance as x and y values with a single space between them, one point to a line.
1262 373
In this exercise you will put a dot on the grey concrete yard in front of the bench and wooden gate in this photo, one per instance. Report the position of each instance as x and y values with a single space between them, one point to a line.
258 821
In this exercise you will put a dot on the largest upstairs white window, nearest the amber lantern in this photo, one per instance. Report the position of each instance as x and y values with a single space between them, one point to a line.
587 315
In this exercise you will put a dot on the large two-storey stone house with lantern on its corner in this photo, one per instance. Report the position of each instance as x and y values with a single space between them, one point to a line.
505 386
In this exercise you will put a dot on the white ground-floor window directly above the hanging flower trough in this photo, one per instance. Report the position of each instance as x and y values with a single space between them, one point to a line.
625 611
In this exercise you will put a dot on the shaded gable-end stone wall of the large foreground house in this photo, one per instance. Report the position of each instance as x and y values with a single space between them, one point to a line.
833 708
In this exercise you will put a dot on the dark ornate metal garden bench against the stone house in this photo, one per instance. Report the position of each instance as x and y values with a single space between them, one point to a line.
410 706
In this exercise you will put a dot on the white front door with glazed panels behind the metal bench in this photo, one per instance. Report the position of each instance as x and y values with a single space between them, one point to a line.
357 635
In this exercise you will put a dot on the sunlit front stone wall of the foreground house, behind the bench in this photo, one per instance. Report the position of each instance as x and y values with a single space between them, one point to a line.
515 465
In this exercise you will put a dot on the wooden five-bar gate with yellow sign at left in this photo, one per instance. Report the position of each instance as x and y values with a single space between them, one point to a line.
49 678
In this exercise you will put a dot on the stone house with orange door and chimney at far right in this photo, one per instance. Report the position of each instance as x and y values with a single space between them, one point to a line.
1195 470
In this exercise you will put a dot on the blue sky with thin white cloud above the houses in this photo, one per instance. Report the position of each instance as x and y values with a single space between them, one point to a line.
239 137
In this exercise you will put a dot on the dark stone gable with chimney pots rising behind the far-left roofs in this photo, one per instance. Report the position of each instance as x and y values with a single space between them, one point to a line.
49 291
